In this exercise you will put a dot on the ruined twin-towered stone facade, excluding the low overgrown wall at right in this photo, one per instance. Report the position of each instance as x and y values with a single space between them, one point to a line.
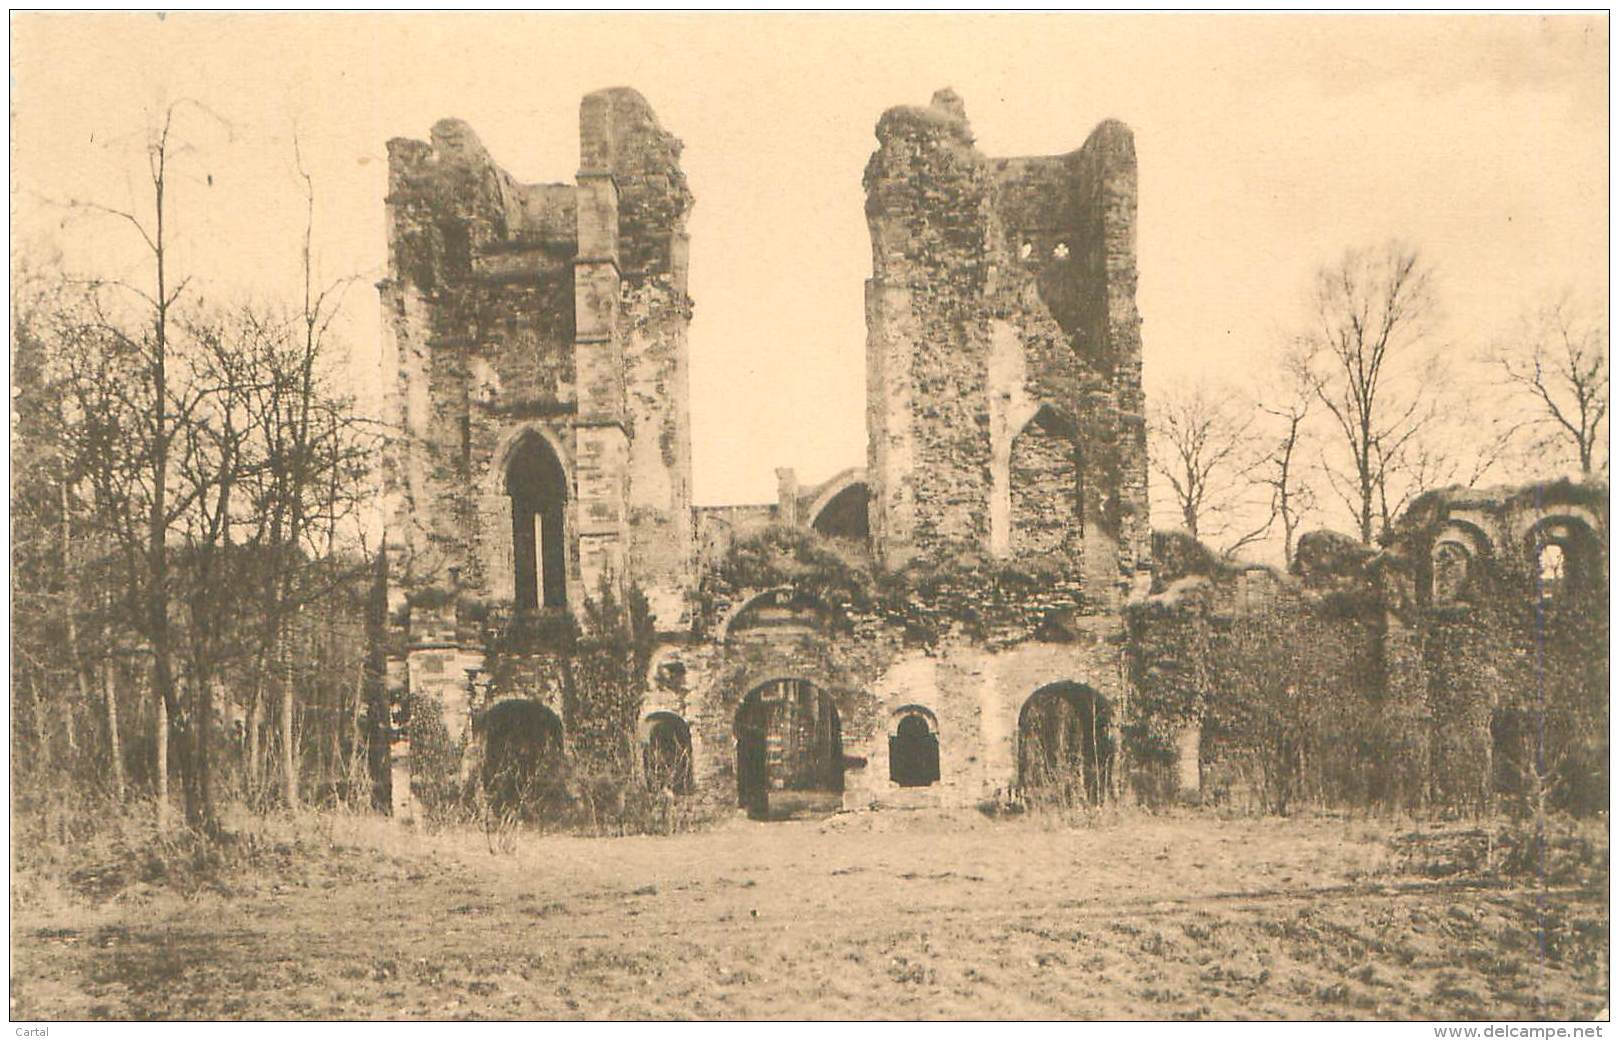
538 341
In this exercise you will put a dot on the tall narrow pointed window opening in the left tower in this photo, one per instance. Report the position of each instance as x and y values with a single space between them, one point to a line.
540 496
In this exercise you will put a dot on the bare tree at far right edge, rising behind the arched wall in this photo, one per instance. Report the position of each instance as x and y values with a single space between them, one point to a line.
1555 365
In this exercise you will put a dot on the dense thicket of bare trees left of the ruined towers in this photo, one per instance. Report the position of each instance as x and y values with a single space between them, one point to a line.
189 461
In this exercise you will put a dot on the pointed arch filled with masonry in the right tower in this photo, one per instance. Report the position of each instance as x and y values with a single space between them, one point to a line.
1047 487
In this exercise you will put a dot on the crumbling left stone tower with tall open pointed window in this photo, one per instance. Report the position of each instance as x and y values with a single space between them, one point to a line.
538 342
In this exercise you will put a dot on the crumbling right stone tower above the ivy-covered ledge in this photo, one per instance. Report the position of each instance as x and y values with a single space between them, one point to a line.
1005 354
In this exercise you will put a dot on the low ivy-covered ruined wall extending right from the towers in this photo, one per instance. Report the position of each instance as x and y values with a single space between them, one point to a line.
1374 678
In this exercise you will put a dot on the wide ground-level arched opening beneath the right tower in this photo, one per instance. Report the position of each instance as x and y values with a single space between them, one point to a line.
1066 746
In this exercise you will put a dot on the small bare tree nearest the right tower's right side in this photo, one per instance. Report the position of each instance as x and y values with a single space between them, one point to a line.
1202 449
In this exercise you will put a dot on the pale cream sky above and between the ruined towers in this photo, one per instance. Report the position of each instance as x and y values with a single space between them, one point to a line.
1267 147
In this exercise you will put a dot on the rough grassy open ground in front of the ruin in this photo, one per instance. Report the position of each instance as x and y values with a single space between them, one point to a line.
898 916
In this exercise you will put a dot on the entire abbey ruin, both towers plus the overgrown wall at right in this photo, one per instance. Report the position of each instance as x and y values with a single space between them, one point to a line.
982 613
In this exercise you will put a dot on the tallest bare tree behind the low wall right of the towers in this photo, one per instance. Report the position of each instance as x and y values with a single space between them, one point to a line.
1369 363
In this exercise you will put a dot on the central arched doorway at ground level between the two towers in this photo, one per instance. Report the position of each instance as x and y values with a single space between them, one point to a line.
789 741
